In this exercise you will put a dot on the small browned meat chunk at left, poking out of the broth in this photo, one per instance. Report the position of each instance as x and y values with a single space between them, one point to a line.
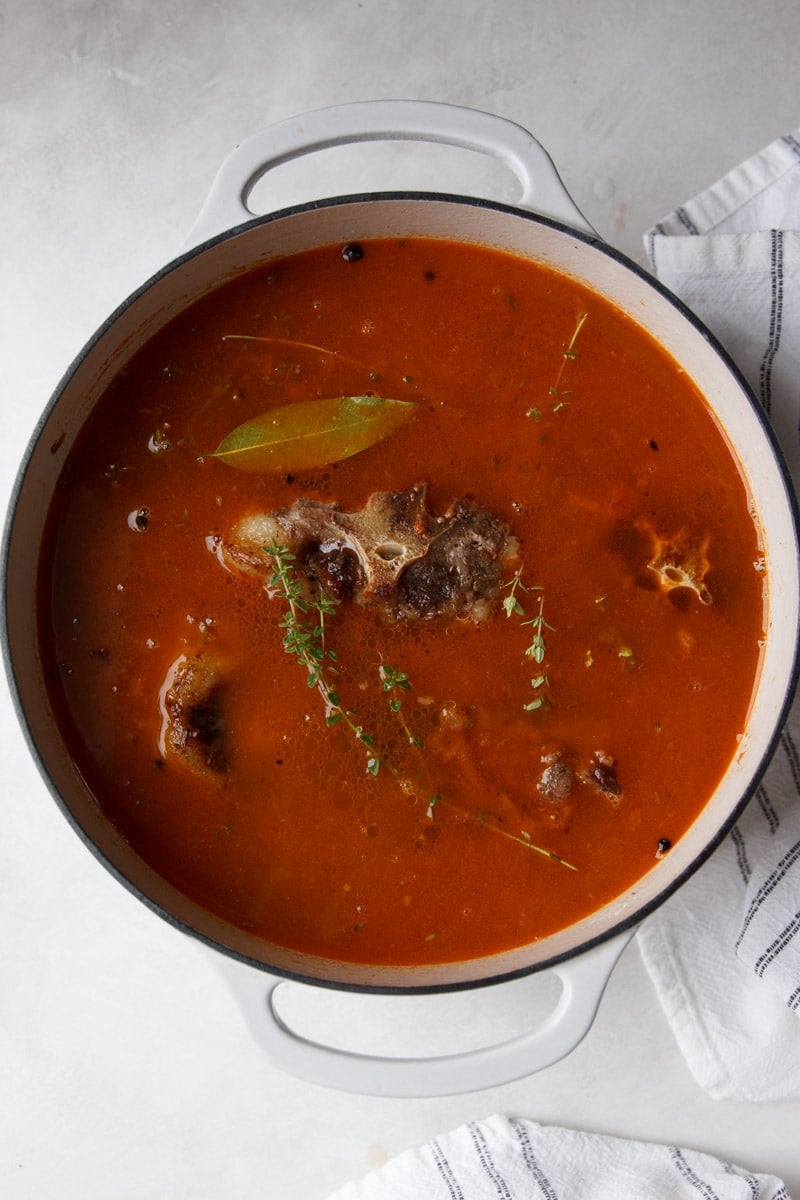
193 722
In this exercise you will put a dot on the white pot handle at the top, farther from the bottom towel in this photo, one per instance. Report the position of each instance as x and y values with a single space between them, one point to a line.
411 121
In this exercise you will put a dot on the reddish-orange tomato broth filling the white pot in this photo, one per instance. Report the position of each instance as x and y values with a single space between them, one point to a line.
297 842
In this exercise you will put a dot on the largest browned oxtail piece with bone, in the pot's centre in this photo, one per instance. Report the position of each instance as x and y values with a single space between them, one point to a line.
393 554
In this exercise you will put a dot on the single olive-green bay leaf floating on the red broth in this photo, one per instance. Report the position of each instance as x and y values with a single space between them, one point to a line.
312 433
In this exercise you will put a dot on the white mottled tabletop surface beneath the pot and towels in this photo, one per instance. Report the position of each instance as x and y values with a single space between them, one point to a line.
127 1070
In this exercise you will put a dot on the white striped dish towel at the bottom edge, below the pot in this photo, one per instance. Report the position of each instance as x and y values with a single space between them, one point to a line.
504 1159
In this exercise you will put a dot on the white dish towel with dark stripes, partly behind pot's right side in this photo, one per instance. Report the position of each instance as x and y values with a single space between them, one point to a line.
725 951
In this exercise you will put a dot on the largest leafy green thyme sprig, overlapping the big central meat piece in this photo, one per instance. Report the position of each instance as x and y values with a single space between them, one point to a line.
304 637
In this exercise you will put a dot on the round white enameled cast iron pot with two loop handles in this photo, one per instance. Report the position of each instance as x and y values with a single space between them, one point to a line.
546 227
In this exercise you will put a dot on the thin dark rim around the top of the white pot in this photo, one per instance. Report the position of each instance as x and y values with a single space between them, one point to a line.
616 928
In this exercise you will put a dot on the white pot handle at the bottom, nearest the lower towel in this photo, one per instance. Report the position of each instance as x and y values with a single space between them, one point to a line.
584 982
